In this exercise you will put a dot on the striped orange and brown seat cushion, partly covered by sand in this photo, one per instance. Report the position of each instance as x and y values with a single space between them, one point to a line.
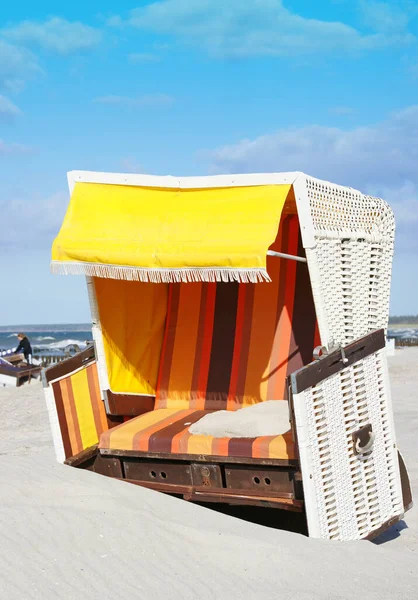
166 431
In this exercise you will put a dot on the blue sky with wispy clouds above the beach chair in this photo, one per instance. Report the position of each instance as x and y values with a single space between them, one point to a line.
188 87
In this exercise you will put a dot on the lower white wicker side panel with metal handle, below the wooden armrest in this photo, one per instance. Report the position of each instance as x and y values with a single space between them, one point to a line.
348 495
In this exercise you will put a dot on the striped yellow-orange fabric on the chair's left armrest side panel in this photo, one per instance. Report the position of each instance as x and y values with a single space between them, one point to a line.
81 412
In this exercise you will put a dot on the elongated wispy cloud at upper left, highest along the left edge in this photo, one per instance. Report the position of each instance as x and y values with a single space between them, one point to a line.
55 34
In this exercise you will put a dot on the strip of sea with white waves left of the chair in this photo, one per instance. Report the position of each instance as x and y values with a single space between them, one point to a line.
47 339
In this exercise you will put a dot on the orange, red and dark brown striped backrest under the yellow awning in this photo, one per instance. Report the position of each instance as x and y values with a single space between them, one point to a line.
231 345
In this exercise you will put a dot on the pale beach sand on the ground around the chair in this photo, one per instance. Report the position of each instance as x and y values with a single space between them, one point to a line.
66 533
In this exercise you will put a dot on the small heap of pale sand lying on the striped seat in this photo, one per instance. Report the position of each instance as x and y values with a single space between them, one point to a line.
265 418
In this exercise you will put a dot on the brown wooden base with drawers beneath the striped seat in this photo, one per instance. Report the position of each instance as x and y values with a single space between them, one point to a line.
246 482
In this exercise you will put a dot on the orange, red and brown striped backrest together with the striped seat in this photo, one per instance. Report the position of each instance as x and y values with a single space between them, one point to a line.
227 346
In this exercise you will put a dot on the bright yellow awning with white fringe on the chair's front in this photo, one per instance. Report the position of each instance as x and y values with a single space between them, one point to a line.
162 235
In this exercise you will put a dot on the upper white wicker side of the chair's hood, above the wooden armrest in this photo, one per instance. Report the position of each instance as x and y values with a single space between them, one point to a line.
351 262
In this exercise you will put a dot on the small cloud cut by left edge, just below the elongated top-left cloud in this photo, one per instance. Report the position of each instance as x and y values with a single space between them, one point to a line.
17 64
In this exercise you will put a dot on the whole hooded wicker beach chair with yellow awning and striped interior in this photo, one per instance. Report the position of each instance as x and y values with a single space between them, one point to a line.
217 294
